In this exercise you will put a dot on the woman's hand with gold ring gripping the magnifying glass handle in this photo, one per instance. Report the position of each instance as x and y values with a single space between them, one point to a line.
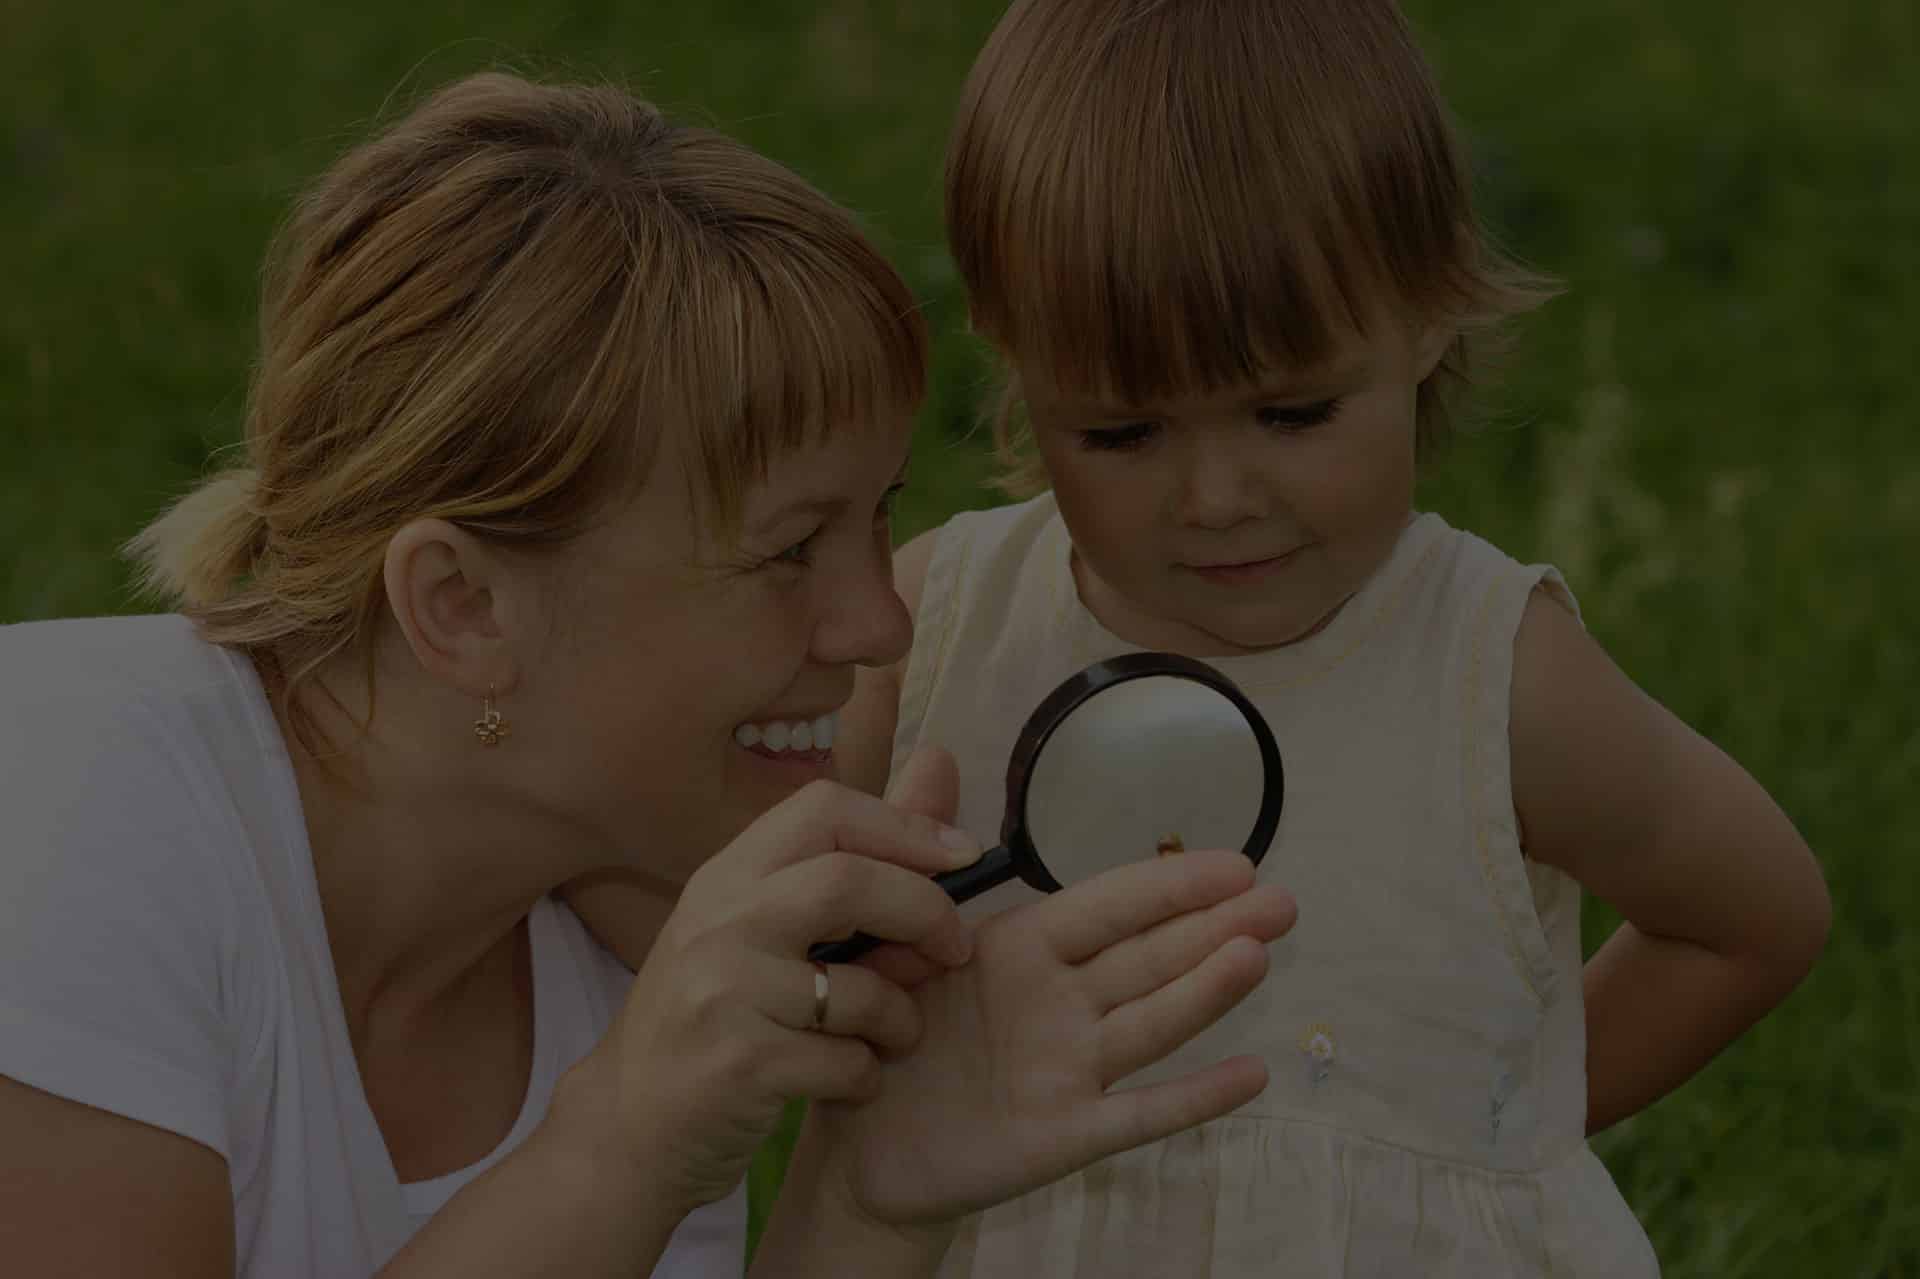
717 1034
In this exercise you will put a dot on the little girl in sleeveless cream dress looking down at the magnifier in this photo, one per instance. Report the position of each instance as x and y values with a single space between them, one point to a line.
1228 256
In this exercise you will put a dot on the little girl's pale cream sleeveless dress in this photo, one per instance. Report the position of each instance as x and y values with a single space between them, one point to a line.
1424 1021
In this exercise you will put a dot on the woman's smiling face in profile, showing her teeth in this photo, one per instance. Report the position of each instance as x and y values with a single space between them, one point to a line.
692 683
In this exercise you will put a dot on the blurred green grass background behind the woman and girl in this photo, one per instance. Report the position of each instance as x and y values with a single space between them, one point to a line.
1714 433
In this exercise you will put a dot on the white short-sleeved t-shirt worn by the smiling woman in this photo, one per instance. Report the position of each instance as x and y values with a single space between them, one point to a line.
164 955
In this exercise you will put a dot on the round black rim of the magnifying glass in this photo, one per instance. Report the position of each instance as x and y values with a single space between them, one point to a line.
1097 679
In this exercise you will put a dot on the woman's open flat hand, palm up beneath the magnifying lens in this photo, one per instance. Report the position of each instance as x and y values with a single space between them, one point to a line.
1009 1086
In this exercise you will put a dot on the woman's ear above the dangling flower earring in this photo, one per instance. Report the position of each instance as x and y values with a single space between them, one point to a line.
454 602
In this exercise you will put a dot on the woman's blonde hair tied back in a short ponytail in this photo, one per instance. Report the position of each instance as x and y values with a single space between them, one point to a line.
492 314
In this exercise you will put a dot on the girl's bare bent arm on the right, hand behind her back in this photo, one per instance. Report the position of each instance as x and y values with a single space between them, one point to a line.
1723 902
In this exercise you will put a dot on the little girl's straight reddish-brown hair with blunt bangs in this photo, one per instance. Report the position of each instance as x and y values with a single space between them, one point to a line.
1153 199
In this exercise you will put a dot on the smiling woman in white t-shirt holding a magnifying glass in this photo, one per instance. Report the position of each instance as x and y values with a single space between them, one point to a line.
560 537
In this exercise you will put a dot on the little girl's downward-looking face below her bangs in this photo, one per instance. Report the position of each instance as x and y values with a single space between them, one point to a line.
1243 519
